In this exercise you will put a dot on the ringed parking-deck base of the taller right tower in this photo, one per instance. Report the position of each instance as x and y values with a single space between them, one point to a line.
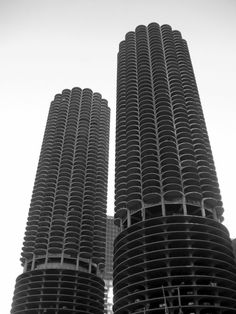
174 264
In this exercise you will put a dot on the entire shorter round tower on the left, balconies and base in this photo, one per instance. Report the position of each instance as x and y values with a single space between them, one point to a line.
64 245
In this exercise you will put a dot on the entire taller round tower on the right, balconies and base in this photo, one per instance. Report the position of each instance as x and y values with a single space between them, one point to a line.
173 255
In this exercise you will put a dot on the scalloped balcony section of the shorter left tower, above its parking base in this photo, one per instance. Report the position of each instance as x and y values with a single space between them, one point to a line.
67 216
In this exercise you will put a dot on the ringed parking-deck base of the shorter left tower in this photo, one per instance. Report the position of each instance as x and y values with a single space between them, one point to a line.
58 291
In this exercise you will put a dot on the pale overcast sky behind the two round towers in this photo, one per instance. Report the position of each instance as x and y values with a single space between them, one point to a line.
50 45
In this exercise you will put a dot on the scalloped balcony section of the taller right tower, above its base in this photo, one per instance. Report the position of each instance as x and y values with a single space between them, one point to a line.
162 147
